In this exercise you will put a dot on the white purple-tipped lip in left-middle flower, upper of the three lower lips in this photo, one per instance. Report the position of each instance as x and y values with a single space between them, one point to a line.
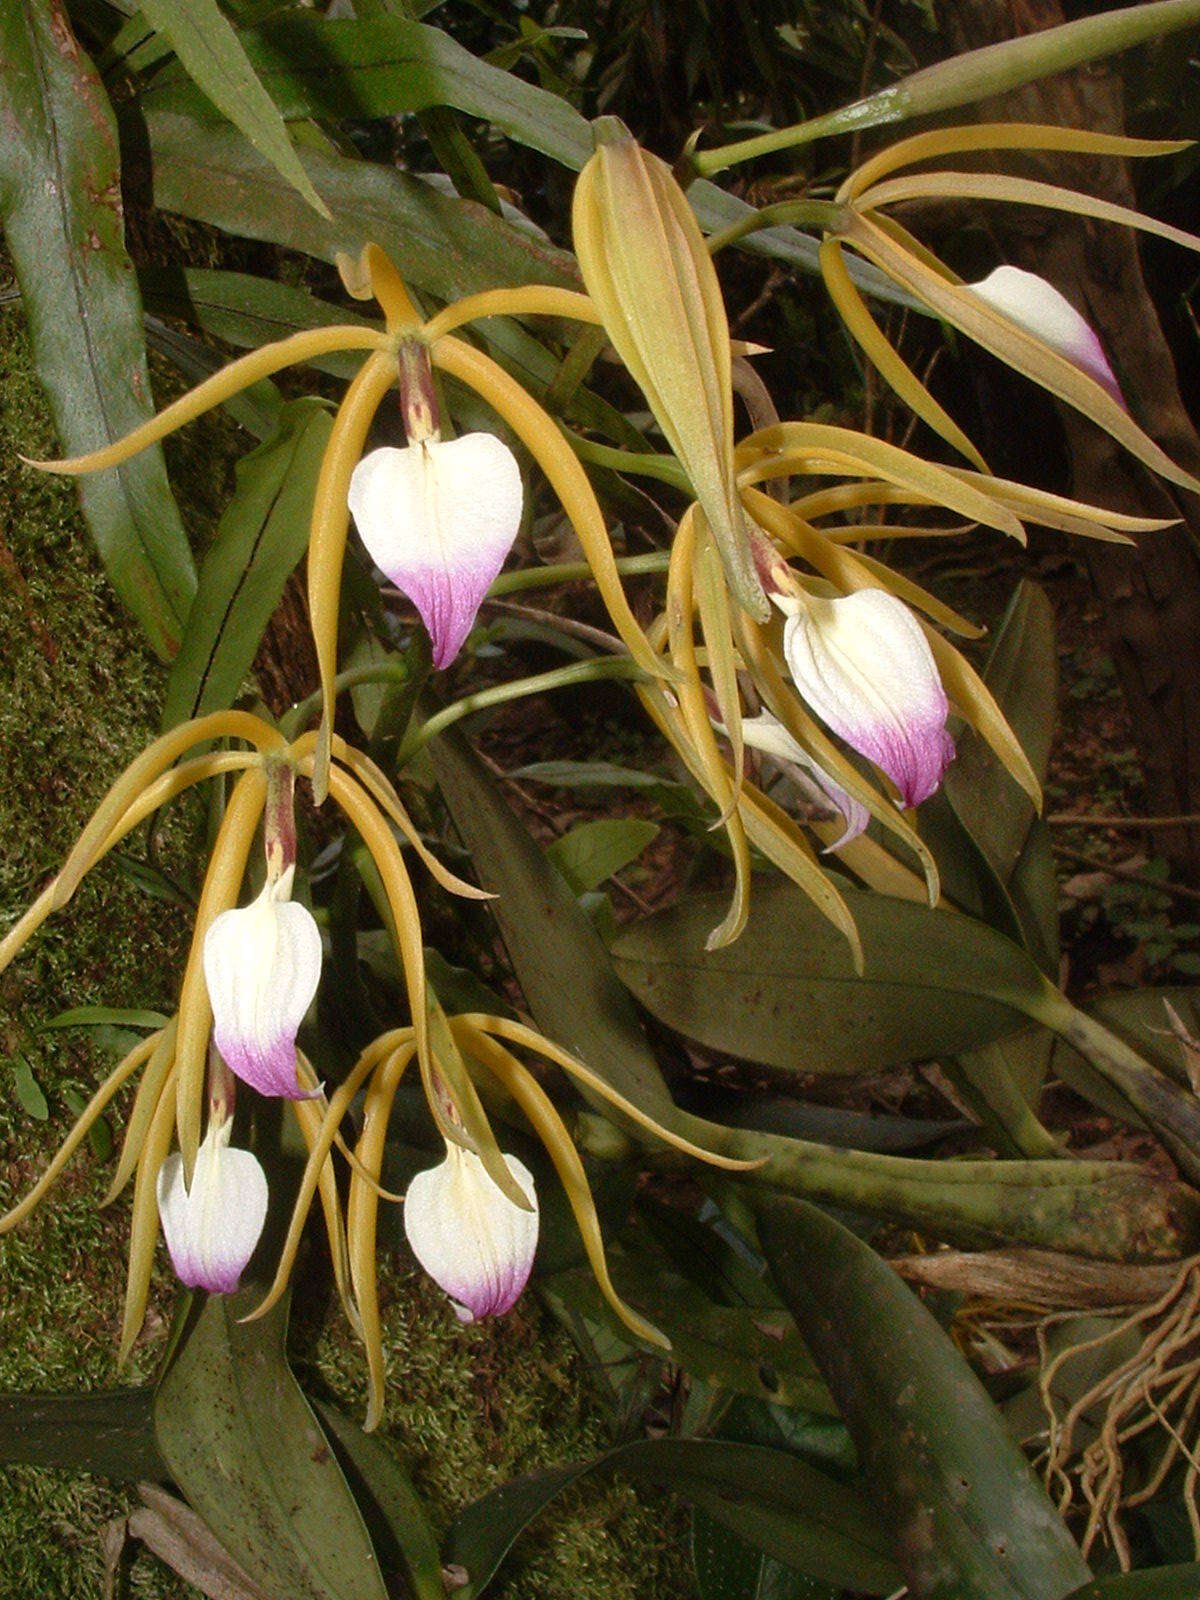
263 966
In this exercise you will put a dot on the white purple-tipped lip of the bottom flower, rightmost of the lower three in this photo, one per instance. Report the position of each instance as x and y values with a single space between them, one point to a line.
470 1238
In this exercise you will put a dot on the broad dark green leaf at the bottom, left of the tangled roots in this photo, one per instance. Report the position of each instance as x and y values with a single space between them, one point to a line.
969 1518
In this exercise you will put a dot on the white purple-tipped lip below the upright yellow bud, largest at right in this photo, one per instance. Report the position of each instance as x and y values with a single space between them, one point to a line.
865 666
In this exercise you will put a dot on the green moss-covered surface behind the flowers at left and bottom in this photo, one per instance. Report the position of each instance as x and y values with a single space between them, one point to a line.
468 1409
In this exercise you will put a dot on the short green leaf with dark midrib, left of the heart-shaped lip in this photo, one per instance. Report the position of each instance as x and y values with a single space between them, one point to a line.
260 540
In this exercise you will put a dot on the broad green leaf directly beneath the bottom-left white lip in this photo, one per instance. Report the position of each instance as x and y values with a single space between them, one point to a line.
246 1450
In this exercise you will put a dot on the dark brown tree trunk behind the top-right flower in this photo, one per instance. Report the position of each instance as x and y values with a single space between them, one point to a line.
1151 594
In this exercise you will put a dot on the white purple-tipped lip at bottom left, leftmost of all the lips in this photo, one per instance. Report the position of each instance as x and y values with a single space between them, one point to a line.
212 1230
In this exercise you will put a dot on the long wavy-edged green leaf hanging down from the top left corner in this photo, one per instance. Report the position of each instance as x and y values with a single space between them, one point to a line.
60 202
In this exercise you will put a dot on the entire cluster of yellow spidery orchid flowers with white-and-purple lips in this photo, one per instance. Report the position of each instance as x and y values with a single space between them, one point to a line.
809 654
